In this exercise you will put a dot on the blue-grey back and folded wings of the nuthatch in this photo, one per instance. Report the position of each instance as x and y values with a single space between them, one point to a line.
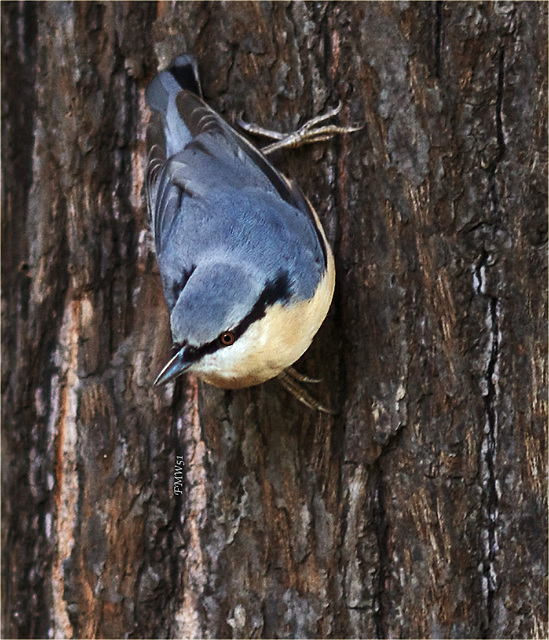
220 194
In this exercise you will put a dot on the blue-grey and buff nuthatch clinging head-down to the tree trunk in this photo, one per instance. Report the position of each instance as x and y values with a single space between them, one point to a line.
247 272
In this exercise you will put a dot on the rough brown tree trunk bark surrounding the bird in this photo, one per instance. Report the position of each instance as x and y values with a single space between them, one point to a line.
420 509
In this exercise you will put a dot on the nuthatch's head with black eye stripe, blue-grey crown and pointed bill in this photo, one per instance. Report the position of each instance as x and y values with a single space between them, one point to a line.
229 326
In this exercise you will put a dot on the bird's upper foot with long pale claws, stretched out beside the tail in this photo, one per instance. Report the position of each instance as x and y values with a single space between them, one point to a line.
307 134
